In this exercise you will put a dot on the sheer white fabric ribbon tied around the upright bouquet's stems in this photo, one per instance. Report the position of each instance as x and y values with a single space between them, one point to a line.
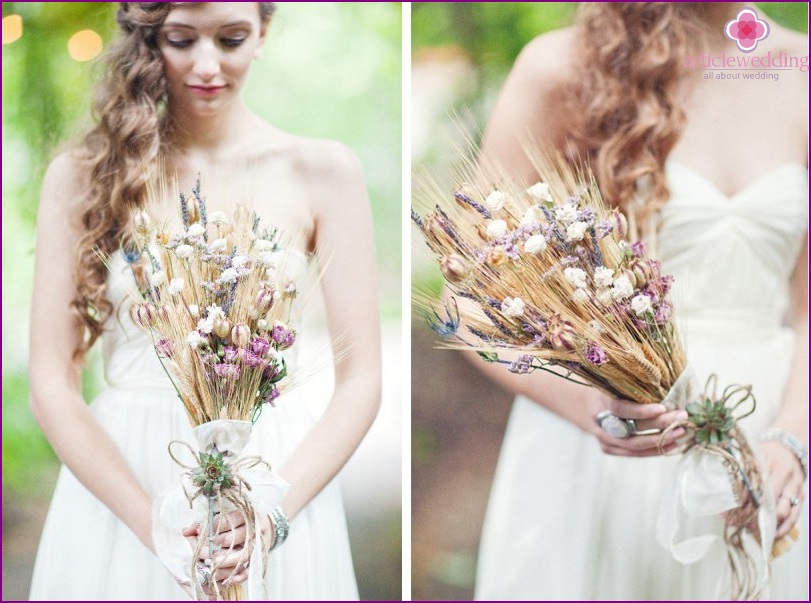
257 488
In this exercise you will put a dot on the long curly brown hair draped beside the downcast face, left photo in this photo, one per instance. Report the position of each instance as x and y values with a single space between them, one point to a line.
131 132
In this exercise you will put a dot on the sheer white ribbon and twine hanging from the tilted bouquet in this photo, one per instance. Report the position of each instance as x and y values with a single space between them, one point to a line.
710 482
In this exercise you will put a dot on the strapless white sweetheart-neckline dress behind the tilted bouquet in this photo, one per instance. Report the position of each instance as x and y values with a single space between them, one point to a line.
567 522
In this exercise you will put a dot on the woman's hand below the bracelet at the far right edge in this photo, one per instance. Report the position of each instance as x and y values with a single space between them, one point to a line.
786 478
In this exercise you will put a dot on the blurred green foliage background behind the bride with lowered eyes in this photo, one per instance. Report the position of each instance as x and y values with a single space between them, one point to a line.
329 70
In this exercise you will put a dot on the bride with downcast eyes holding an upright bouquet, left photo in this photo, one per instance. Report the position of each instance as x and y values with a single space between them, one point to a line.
172 89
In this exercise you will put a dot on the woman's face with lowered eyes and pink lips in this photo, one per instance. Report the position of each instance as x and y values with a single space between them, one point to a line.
207 50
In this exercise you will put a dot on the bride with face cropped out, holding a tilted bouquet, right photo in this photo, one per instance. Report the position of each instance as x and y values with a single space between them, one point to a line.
722 167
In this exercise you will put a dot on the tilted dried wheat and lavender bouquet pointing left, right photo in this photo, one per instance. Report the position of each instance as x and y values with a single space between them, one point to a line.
546 278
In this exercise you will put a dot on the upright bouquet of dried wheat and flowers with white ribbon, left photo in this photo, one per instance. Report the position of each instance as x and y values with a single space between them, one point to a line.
216 300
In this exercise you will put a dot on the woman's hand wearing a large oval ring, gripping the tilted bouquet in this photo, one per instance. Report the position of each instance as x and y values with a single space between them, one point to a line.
653 418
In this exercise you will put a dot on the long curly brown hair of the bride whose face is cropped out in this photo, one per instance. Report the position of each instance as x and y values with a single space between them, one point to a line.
627 116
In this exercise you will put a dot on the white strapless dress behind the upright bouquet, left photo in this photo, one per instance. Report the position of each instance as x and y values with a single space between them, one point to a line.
87 554
